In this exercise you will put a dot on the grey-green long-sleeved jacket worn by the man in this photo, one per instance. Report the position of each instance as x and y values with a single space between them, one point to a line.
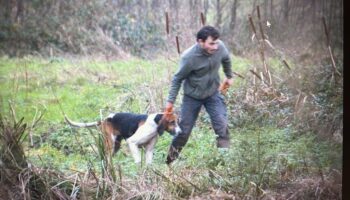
200 72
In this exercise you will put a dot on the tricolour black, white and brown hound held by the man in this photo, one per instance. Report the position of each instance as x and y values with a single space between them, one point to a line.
138 130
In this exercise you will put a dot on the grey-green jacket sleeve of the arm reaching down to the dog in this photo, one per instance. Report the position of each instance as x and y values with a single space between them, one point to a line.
183 71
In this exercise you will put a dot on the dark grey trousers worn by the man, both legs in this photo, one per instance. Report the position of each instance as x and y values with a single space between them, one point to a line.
216 108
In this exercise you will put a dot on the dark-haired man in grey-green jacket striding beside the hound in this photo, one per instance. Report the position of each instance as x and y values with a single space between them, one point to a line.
199 69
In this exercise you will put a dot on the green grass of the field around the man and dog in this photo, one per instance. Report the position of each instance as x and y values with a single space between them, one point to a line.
263 157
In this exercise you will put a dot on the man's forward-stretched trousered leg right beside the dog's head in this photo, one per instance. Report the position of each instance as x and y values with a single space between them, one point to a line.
189 112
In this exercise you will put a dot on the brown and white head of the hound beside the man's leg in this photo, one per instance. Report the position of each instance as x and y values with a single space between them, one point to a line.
168 122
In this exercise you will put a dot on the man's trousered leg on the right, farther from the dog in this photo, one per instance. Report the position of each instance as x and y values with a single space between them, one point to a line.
216 108
